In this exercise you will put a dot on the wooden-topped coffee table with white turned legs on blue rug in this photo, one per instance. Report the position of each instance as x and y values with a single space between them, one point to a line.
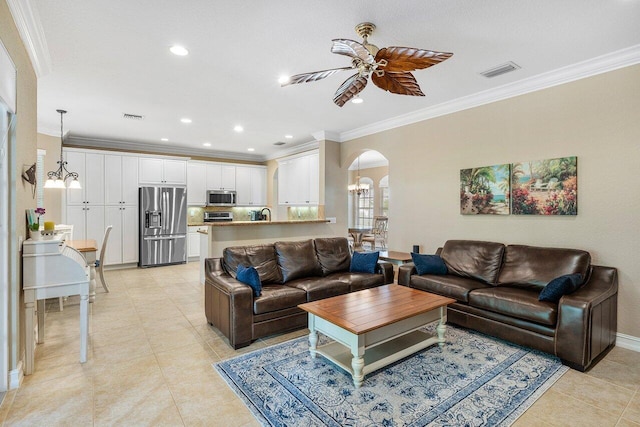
375 327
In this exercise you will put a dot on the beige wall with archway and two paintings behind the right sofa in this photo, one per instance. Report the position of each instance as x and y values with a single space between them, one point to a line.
596 119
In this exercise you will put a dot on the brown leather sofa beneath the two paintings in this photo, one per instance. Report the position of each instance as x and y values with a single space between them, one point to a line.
496 288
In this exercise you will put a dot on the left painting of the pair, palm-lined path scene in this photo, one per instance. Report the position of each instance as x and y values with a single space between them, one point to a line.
485 190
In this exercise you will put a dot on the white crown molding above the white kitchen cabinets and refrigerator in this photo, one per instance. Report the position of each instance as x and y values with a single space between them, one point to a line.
109 144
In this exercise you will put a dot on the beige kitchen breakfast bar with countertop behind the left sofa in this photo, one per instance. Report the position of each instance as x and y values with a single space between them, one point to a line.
220 235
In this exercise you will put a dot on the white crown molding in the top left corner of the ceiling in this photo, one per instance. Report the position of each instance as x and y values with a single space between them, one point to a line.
25 16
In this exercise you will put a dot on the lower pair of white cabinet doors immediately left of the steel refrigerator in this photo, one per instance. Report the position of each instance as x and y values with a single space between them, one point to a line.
122 247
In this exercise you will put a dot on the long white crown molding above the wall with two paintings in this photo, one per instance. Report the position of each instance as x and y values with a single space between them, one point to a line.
601 64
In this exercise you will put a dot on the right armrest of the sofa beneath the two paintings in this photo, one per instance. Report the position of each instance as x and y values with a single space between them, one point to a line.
587 319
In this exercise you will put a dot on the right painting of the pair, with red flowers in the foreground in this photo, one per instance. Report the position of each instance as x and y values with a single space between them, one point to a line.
545 187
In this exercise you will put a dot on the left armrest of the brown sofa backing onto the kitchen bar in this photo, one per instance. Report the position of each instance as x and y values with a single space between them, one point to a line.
228 304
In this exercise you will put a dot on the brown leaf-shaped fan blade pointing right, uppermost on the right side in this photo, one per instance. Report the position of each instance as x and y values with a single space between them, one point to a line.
397 59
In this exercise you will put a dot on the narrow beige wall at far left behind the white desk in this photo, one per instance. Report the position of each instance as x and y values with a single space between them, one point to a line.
22 157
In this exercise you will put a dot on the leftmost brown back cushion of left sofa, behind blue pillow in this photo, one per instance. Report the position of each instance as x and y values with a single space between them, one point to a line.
261 257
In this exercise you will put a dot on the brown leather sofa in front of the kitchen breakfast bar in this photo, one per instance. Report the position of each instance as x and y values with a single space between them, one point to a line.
291 273
